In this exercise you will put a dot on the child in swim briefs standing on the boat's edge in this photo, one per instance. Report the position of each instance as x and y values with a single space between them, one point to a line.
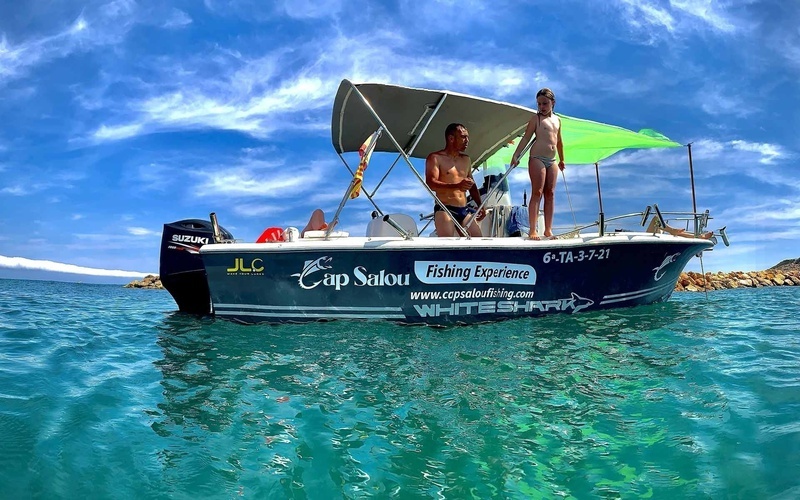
541 165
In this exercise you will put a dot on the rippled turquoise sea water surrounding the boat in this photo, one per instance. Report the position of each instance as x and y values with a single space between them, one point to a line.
107 392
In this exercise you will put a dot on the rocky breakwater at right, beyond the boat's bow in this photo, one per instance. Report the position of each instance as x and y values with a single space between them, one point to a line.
787 273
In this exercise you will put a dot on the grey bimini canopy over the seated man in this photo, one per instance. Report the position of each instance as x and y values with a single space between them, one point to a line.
406 111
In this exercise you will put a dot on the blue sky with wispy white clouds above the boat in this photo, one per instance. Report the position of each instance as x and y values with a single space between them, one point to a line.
119 116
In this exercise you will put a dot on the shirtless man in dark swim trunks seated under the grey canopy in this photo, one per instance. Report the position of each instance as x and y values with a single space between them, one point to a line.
448 173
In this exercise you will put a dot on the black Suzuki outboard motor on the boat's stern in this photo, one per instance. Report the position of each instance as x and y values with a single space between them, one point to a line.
181 268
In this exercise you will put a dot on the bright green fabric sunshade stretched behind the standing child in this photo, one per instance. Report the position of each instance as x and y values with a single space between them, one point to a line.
588 142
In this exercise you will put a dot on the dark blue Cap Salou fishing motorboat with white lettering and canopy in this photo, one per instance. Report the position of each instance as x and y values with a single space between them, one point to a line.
396 272
